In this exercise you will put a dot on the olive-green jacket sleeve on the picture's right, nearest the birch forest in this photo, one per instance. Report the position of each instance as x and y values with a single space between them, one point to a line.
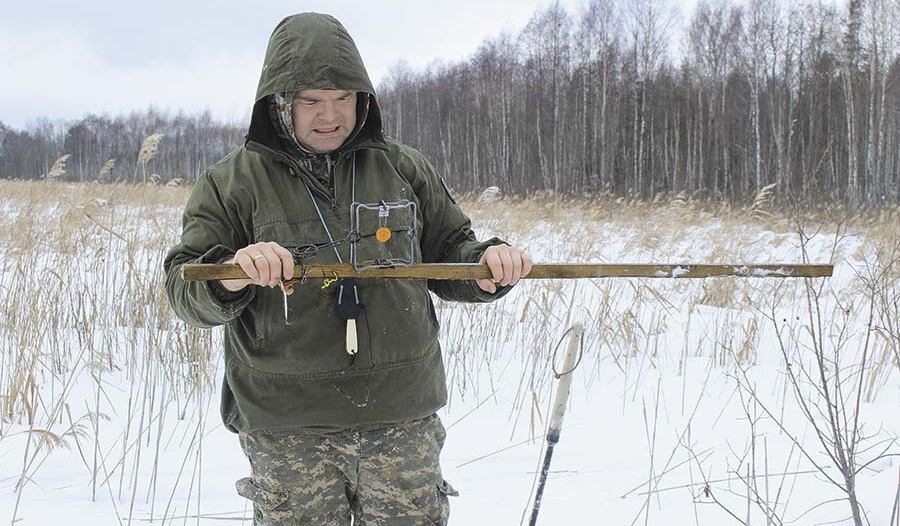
447 235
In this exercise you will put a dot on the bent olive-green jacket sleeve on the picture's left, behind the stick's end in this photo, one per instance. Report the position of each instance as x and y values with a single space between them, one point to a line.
211 233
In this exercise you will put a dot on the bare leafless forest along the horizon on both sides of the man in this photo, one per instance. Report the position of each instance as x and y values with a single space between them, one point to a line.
620 97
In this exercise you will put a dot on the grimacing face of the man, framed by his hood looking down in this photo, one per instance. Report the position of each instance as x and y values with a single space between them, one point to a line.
324 118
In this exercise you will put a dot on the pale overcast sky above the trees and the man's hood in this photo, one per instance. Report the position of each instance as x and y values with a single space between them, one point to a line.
63 59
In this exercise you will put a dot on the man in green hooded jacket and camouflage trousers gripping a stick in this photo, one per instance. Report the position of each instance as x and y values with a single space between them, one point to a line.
332 429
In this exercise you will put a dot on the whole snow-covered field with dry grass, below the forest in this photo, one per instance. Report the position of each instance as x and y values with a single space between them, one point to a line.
682 410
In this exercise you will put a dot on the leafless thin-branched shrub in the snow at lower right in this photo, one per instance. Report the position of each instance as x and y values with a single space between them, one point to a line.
828 392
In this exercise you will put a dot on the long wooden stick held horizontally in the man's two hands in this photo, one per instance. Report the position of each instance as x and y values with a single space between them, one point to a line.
206 272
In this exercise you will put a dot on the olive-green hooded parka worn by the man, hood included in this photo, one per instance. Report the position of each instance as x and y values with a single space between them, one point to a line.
285 376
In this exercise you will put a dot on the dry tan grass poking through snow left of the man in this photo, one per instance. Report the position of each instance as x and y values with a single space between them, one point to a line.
83 302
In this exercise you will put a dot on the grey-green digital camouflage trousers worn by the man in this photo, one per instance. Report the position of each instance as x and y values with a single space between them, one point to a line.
384 476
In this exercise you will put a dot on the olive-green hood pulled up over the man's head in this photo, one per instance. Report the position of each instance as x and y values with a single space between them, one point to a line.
311 51
